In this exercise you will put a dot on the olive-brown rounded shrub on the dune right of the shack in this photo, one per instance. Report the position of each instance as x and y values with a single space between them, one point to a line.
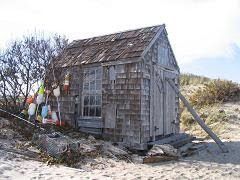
213 92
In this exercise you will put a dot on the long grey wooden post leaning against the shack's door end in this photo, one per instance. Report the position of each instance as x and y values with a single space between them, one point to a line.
198 119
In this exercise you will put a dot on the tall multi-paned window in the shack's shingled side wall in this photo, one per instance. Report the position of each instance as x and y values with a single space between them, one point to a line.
92 92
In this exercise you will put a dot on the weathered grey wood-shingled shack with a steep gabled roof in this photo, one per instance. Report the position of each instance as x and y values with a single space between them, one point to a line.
118 86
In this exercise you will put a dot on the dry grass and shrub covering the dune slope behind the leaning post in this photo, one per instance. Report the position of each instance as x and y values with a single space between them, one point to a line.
207 101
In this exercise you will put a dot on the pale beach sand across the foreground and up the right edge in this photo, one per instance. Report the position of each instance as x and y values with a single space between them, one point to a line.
210 163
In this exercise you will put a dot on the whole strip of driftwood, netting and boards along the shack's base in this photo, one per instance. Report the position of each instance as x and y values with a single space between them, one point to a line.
78 150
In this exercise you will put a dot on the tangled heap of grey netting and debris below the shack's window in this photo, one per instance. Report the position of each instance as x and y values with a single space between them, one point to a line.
63 149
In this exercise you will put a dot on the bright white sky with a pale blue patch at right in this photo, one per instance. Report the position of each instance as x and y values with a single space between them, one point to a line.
204 34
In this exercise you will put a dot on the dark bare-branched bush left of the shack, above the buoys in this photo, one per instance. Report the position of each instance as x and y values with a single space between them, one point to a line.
23 64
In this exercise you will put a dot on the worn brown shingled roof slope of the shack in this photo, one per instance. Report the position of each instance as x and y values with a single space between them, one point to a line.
118 46
